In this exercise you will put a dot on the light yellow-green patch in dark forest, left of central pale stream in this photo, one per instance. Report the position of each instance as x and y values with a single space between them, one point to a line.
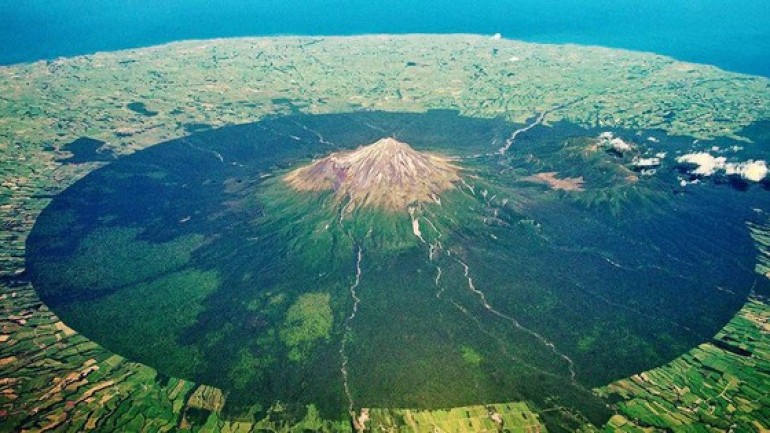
308 320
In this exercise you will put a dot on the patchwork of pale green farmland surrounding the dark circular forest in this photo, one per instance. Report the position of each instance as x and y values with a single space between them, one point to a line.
51 378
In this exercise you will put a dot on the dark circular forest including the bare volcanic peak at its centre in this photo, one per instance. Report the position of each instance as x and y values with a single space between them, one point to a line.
380 259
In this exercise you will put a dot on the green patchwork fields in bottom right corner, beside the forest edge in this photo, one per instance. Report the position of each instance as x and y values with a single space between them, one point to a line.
717 386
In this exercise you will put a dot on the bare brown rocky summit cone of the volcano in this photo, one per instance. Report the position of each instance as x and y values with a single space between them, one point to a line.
387 174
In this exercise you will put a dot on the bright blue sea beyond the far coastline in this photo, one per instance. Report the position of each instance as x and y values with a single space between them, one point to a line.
734 35
